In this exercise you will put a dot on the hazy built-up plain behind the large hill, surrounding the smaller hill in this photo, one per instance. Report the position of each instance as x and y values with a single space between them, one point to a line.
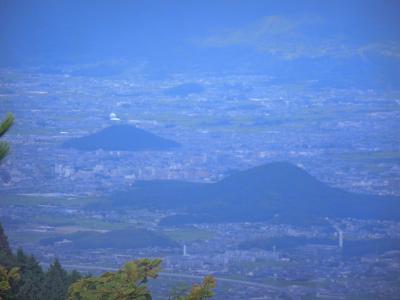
346 137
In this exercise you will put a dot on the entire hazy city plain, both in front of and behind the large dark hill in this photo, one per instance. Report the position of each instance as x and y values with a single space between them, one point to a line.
345 137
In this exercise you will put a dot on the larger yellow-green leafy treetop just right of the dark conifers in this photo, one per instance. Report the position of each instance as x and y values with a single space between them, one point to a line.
125 284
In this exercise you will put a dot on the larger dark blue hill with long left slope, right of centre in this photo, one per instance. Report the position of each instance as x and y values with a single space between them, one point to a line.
261 193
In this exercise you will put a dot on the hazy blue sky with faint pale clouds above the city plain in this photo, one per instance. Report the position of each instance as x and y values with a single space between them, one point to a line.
206 35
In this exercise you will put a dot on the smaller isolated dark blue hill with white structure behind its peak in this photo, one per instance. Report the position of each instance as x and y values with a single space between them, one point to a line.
121 138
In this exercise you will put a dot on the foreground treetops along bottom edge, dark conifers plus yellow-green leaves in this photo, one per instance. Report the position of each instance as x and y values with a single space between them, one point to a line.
23 279
